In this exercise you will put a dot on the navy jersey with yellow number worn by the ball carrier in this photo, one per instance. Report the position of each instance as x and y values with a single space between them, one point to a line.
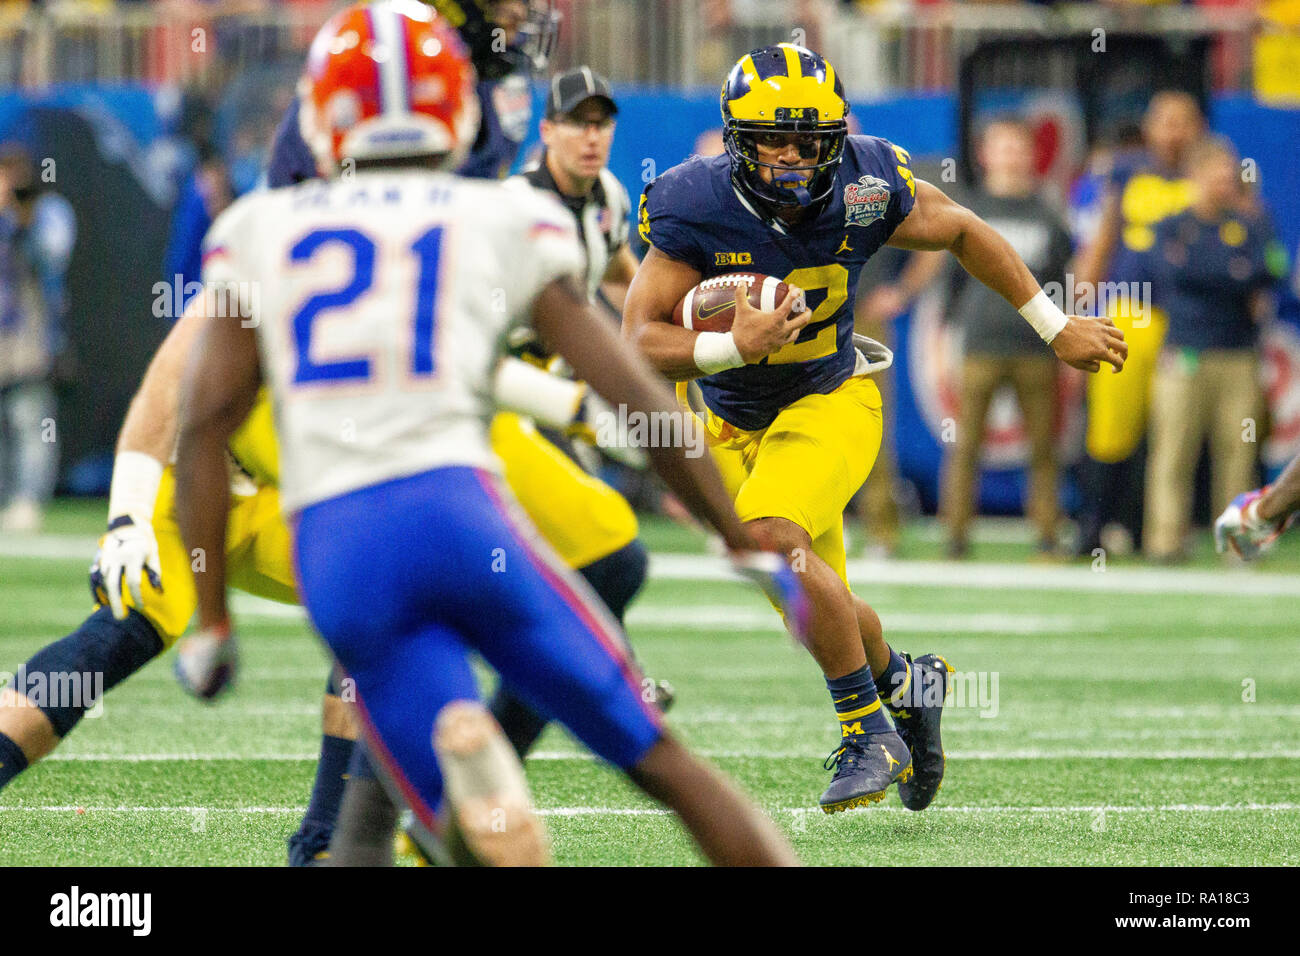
695 215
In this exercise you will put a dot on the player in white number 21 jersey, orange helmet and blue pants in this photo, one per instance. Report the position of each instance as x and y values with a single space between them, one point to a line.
378 332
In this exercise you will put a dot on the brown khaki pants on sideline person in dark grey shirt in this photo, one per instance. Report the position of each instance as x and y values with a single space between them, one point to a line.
1034 380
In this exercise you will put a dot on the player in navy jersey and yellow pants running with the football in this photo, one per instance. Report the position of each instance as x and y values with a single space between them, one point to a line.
787 397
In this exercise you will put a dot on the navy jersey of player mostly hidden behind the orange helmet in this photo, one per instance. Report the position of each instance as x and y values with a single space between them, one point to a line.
506 116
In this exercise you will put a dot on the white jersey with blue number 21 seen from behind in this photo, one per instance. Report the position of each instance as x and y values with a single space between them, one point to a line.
382 305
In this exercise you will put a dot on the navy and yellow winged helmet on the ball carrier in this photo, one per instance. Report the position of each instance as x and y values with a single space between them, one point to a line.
785 89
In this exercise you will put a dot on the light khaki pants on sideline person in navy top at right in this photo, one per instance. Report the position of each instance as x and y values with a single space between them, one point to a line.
1214 393
